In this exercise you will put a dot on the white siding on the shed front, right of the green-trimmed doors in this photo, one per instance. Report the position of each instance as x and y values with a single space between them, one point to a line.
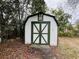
53 30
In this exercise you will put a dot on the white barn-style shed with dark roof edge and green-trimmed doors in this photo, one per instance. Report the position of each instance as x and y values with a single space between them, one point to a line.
41 28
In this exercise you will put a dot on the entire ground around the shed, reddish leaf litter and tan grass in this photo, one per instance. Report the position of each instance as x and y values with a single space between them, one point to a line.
67 49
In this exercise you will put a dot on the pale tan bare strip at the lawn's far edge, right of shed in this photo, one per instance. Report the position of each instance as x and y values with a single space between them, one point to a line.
72 42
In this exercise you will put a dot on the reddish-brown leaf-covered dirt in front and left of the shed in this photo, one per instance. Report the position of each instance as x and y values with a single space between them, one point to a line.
18 50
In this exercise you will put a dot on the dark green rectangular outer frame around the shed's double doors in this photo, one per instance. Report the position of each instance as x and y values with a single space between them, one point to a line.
48 34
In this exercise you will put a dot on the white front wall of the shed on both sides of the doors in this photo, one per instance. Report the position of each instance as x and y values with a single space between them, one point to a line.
53 29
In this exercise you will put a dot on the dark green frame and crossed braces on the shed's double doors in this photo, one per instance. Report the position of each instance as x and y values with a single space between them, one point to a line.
40 30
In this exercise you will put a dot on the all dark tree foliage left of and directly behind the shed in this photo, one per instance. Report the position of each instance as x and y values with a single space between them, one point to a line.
14 12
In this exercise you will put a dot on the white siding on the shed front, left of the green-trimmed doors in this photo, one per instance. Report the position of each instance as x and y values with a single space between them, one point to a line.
28 29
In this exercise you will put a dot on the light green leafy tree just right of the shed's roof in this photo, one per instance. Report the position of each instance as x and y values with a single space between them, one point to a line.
62 19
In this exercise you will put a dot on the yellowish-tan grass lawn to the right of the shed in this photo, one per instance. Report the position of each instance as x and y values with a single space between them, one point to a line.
69 47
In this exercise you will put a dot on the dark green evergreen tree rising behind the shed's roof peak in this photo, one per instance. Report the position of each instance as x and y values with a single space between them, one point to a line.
38 6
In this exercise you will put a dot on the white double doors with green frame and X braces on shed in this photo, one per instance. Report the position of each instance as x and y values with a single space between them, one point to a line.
40 33
